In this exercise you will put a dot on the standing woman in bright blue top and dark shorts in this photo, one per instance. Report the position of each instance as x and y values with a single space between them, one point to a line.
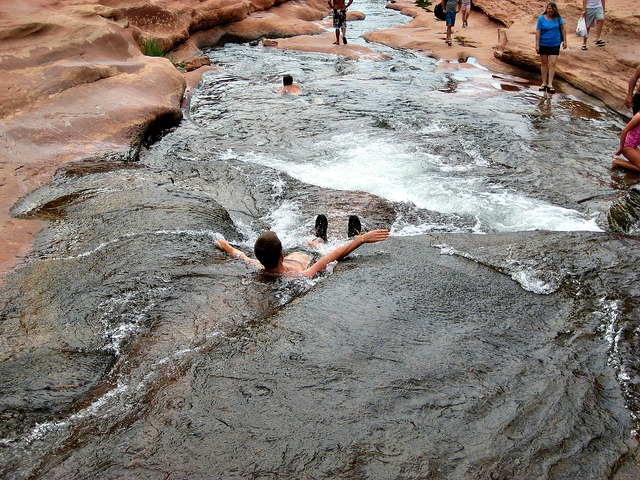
550 34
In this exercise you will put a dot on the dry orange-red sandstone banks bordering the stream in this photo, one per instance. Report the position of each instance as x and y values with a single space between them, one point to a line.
75 84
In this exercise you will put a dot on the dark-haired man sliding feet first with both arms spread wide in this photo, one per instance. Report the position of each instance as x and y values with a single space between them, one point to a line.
270 255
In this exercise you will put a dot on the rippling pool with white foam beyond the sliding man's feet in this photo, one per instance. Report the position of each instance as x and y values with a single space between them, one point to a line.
452 138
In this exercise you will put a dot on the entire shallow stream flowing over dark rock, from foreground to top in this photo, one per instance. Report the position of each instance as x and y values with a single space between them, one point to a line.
493 336
